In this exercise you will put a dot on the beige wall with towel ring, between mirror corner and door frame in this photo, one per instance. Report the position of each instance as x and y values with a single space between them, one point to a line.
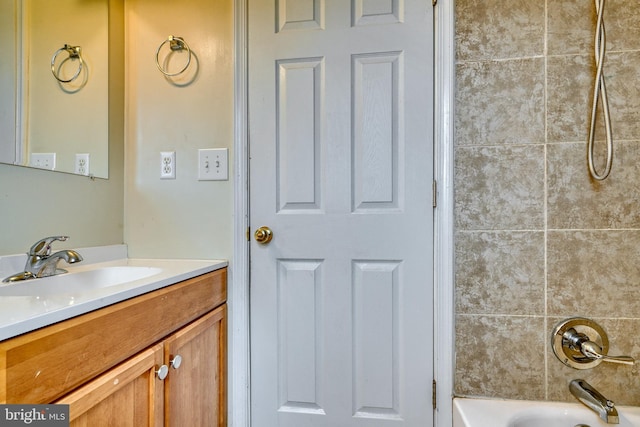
181 218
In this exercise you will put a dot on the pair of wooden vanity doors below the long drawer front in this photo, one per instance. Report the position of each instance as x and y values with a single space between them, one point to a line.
192 394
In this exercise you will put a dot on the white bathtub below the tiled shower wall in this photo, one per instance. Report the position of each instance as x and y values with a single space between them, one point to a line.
516 413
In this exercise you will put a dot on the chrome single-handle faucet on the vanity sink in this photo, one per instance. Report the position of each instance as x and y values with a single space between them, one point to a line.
42 263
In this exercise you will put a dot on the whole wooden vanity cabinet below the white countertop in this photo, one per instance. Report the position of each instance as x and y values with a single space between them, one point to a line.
188 319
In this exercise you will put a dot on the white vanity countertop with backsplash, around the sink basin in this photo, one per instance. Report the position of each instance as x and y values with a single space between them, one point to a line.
20 314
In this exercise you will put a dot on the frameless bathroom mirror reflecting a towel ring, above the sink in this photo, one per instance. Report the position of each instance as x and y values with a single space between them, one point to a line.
55 114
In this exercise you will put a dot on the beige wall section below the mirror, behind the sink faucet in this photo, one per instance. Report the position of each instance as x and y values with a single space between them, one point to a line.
36 203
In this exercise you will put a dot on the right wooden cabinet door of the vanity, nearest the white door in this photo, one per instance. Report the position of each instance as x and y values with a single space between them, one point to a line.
196 391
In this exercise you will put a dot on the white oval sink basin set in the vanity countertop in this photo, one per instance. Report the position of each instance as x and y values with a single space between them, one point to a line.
78 281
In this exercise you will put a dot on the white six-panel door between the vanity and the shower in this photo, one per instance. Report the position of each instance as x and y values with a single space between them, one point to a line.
341 170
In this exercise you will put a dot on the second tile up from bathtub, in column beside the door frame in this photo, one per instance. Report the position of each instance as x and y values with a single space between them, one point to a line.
500 272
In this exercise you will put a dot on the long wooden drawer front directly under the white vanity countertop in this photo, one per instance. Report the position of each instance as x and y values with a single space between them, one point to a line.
43 365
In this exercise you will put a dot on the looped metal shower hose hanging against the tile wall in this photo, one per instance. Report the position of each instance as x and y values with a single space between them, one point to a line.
600 91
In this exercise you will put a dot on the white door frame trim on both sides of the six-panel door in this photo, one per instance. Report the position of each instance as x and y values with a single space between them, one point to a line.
239 334
